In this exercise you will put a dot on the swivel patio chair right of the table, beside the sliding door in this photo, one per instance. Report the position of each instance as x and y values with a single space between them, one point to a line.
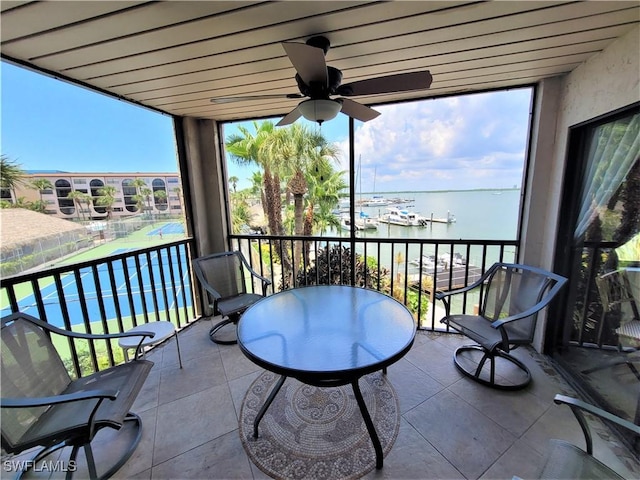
510 297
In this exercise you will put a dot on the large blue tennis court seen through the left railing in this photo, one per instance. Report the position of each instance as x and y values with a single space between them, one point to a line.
157 284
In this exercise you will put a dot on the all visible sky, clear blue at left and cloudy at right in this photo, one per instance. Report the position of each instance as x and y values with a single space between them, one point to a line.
453 143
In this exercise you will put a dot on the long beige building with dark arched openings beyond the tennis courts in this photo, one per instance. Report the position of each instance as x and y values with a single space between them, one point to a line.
161 193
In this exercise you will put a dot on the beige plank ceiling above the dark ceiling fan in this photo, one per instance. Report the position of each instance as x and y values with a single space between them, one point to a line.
176 56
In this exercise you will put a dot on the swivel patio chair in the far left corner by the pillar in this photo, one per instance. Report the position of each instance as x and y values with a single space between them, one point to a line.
224 276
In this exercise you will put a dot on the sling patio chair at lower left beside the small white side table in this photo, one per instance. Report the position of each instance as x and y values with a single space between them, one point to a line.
43 406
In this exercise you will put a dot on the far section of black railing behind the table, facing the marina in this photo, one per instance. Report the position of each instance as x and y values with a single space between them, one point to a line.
406 268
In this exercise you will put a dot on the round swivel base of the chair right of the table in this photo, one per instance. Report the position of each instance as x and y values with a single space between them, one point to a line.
475 371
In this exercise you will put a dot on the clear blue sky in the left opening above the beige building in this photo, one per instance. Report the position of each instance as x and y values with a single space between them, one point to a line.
48 124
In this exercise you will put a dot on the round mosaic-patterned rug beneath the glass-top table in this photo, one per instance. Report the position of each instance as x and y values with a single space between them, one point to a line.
317 433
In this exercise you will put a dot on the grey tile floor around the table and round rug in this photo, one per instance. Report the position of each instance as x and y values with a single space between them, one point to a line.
451 427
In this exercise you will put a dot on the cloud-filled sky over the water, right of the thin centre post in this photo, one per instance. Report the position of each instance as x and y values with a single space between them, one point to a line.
473 141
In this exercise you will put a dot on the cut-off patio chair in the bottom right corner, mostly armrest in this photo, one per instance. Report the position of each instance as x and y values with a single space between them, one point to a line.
566 460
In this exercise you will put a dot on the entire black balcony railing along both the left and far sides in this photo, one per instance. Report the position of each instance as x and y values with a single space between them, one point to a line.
118 292
